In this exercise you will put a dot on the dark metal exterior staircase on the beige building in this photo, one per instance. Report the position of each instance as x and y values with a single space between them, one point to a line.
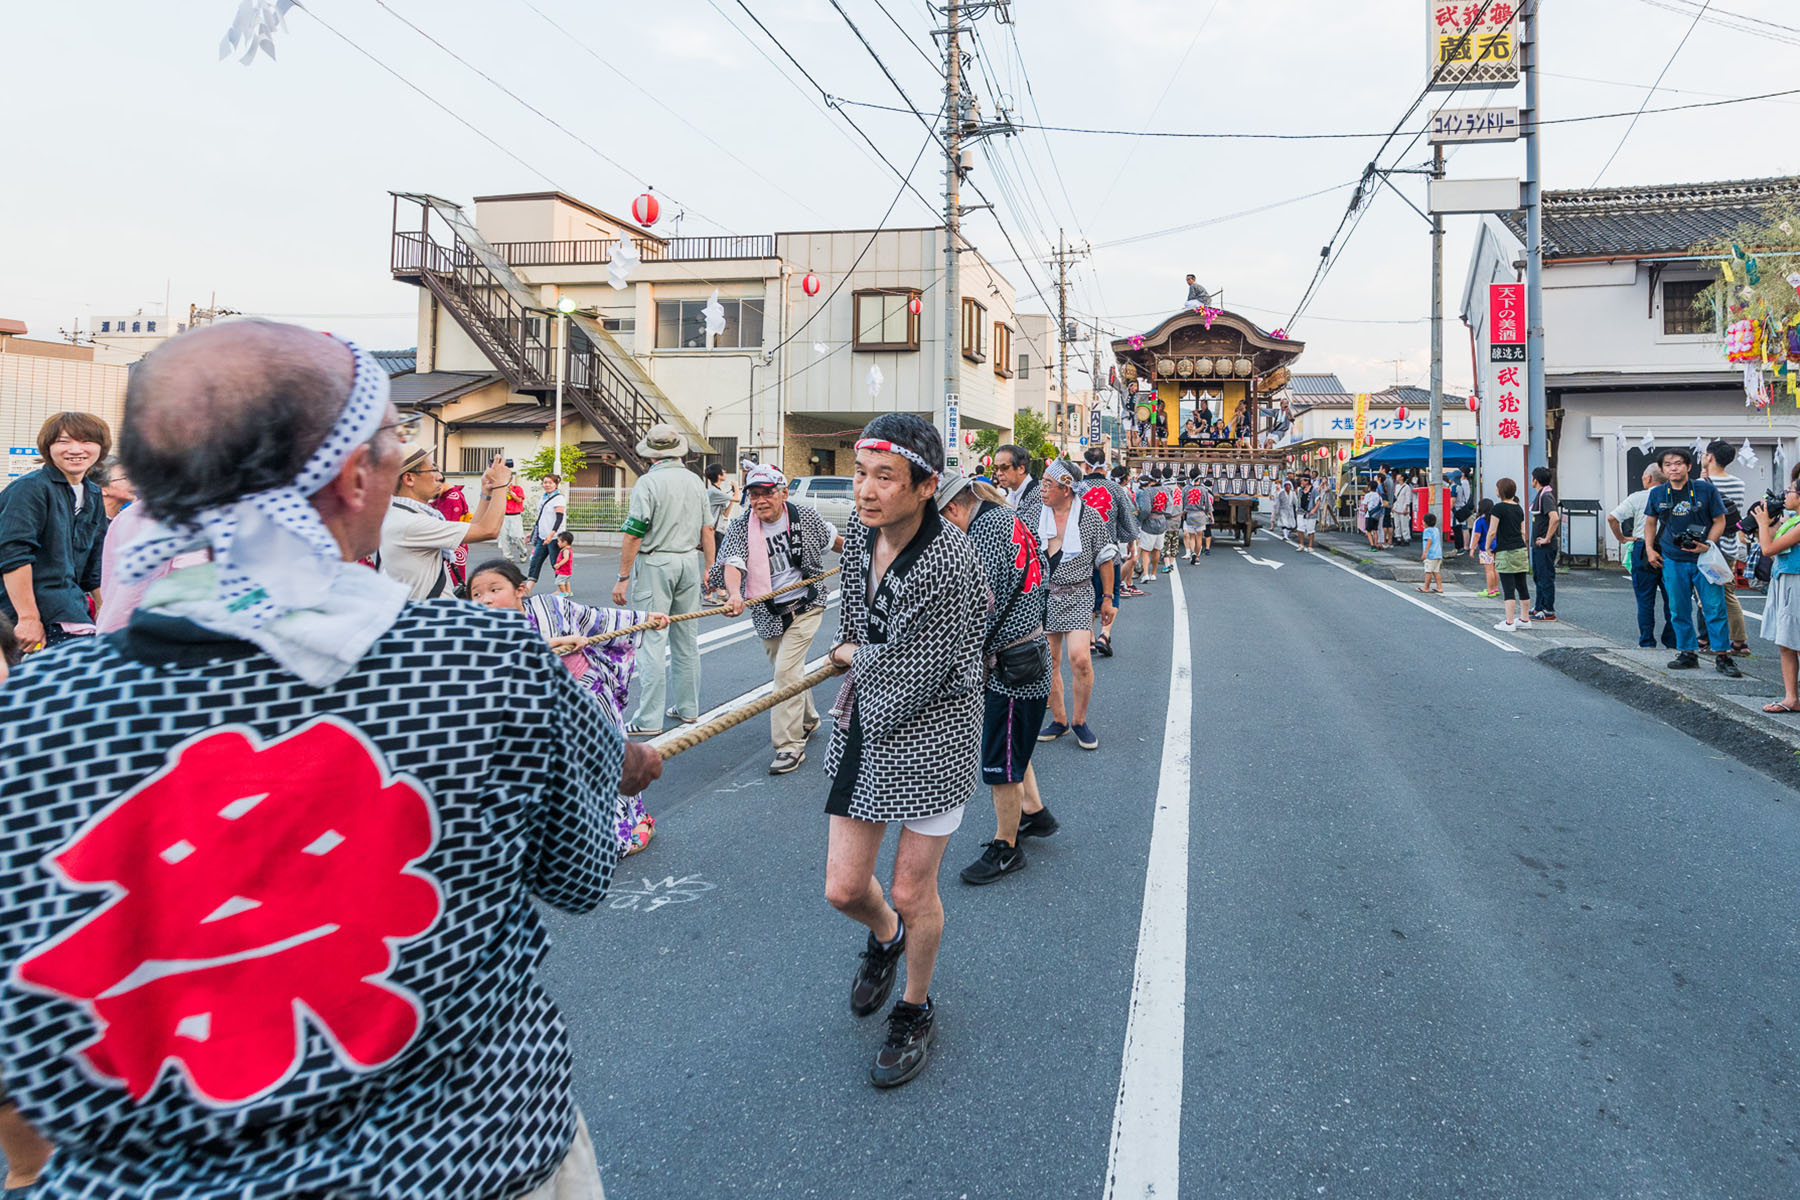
604 384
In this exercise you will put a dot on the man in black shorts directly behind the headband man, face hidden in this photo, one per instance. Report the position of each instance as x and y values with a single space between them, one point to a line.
1018 663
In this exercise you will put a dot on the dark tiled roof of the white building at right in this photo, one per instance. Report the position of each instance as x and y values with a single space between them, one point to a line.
1630 222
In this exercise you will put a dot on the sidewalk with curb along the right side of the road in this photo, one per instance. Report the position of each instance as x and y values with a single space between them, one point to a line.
1720 712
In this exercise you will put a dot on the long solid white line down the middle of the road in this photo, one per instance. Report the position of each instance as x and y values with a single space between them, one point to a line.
1146 1154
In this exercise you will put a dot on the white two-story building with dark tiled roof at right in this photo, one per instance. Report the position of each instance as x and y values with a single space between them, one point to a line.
1628 357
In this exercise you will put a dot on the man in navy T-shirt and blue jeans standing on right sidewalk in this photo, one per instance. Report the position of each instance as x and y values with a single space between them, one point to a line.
1682 521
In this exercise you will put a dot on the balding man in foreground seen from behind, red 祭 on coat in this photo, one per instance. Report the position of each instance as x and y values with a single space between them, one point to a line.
291 942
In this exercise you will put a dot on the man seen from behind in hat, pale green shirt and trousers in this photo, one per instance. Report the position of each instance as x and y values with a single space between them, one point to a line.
665 532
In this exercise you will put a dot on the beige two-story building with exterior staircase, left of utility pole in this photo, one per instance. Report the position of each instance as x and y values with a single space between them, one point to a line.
822 332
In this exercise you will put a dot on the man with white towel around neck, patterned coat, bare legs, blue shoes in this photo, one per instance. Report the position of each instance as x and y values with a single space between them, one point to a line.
1077 544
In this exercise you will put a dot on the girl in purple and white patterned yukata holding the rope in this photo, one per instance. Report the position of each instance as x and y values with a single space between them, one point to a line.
606 668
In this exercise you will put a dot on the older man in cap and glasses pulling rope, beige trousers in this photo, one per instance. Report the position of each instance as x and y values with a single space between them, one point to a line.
775 544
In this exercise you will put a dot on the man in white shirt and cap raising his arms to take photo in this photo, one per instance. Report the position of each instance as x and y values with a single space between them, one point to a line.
417 537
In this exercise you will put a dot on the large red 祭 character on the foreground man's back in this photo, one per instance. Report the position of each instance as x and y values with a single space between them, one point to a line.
251 886
